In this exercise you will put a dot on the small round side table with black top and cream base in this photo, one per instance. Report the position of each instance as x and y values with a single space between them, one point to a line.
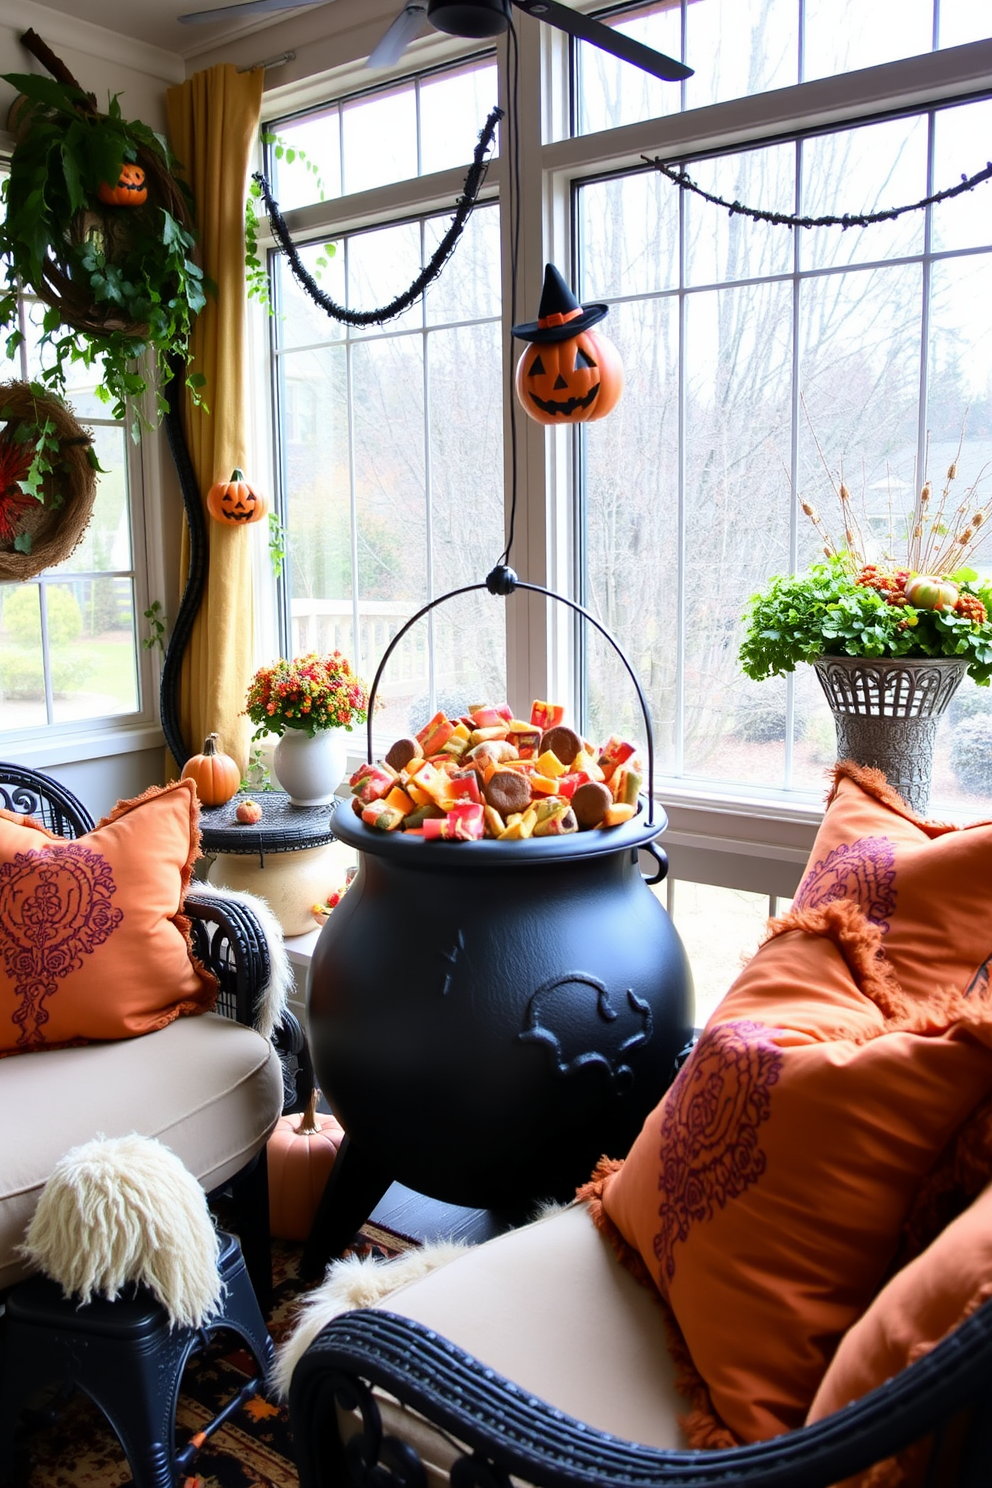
291 858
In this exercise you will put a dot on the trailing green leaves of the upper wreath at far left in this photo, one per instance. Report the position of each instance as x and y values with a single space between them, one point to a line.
145 276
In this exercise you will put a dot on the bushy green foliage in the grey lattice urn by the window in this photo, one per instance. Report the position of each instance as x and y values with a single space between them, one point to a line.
823 612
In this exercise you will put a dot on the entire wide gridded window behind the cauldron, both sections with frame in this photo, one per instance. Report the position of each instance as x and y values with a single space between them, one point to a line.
743 344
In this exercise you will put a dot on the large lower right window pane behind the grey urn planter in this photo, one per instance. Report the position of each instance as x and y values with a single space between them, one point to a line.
747 347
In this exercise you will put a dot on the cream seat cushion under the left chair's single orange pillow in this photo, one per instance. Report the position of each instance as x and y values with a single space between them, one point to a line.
207 1087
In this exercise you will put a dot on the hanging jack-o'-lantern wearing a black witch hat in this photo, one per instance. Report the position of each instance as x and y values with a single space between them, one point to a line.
569 374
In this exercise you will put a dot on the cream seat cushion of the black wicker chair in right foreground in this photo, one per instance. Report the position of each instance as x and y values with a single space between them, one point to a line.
550 1307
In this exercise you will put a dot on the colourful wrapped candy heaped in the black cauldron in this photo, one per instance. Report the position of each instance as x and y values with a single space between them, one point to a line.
490 775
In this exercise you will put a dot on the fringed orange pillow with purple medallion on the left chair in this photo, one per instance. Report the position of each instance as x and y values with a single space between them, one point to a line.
93 938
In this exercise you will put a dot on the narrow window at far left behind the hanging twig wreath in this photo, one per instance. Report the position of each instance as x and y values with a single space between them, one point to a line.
69 641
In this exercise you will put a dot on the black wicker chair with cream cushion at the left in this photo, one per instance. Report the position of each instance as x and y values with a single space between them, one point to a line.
219 1133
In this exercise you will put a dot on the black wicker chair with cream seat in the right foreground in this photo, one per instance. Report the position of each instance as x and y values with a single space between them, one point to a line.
425 1388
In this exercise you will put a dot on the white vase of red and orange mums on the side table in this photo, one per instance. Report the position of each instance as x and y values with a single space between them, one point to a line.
310 705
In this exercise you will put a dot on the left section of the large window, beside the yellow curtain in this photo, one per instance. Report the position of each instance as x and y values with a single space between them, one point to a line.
389 437
